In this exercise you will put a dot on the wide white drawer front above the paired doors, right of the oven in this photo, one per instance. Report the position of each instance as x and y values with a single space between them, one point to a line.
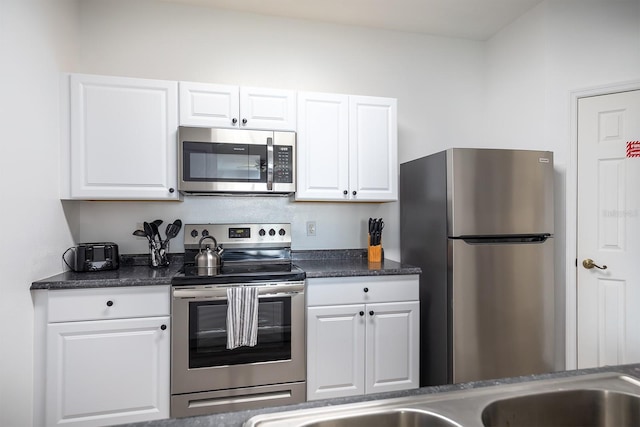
361 290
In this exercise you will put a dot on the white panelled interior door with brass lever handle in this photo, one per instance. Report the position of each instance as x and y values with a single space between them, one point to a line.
608 230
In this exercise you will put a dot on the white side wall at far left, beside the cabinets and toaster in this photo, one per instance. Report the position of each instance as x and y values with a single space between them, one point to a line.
36 42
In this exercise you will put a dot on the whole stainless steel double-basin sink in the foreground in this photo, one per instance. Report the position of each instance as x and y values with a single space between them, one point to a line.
598 400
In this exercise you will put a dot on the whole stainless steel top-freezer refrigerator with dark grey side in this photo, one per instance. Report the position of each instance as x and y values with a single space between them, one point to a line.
479 222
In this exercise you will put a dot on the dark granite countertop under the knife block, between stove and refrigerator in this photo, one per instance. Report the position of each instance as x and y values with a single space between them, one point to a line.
347 263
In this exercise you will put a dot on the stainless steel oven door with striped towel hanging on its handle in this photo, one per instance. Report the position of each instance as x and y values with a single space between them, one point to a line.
200 359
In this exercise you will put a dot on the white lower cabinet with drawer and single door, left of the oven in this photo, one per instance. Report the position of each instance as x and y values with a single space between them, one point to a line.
103 368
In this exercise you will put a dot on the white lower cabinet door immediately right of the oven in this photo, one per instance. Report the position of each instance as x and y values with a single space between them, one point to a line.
335 351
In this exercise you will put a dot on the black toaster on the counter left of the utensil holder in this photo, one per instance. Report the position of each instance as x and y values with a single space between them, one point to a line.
100 256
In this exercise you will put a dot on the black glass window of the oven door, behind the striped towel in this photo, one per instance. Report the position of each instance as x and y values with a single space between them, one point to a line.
208 334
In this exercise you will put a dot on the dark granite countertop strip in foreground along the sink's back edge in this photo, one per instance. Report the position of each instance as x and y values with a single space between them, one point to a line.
236 419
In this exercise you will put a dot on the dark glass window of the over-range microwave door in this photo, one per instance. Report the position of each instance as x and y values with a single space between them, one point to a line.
223 162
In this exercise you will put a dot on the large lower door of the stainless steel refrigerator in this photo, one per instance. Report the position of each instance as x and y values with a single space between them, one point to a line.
503 309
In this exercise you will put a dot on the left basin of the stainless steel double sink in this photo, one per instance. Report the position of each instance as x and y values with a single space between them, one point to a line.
392 418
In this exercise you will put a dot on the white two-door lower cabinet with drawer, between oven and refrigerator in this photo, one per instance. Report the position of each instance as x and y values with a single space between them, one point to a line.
357 342
